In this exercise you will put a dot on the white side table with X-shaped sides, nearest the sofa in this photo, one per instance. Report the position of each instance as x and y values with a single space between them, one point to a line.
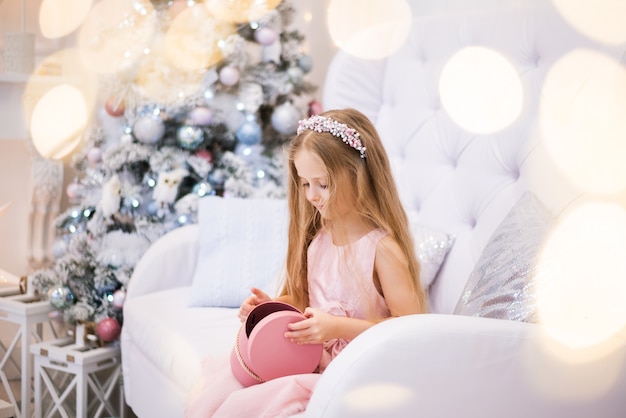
77 380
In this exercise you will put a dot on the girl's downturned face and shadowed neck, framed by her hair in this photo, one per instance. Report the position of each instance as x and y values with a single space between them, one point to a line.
314 183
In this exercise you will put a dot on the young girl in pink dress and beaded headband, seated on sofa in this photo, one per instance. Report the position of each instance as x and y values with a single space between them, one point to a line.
350 258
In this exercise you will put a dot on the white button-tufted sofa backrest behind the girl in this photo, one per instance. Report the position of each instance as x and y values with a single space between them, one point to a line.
457 181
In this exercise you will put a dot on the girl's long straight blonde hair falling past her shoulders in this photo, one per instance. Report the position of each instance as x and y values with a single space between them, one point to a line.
377 199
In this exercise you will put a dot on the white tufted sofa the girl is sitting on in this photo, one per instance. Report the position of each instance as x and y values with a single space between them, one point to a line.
434 365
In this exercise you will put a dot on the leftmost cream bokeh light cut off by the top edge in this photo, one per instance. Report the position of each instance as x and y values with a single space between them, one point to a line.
58 18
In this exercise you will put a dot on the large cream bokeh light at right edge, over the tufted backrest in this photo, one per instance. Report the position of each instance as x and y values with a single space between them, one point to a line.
582 117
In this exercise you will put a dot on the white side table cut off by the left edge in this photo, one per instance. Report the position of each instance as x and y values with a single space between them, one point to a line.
29 313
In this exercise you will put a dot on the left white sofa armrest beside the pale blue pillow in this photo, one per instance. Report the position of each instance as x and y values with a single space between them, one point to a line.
169 262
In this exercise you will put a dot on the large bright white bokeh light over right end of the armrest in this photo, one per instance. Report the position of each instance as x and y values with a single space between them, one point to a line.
580 284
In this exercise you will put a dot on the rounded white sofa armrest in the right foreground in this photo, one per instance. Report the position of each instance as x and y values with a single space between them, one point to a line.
458 366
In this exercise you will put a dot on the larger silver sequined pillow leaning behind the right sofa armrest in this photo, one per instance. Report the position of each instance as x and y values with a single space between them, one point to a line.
502 283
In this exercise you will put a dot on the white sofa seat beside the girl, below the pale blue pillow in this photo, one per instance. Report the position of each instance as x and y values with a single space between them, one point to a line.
177 338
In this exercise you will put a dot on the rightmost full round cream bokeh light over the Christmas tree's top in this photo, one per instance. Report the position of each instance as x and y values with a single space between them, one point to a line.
191 41
